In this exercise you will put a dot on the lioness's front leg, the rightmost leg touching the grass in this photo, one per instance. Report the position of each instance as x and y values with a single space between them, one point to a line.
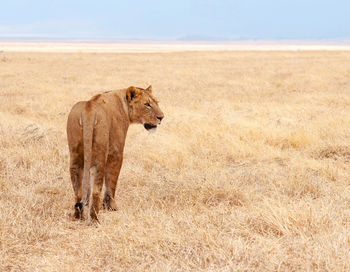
114 163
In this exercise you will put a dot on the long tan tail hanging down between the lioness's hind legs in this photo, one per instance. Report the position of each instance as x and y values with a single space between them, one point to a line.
88 122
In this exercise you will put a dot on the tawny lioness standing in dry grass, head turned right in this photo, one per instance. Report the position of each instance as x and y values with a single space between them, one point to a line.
96 131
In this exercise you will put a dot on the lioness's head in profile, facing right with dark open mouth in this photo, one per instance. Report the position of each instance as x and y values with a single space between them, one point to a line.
143 108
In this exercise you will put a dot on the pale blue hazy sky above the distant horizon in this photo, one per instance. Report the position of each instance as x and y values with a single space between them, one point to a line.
171 20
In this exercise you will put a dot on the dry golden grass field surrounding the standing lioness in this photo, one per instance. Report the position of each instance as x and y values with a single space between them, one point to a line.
249 171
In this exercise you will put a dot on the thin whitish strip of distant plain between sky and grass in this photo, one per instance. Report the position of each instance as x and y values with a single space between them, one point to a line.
144 47
